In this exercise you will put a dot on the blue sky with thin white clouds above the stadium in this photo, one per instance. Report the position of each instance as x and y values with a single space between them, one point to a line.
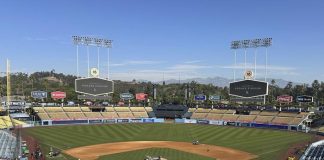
164 38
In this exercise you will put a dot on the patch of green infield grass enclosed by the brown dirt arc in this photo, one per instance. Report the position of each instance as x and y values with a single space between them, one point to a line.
167 153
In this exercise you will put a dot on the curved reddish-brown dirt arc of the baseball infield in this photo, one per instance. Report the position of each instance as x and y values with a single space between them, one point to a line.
95 151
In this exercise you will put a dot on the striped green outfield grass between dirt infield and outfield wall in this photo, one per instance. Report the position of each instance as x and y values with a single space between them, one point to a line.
267 144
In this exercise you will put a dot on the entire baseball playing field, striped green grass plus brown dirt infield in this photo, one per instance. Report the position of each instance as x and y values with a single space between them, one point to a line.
171 141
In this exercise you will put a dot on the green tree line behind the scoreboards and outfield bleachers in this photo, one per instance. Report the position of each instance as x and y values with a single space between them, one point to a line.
49 81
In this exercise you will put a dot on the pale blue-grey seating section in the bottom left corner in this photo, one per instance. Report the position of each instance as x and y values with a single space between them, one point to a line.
7 145
